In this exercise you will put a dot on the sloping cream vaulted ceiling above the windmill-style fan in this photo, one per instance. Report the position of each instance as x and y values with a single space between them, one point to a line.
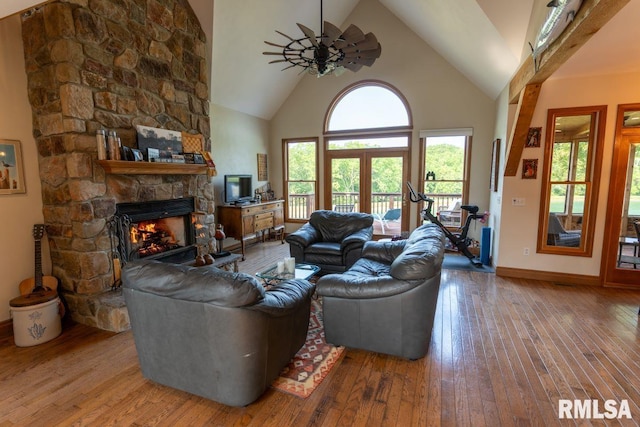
484 39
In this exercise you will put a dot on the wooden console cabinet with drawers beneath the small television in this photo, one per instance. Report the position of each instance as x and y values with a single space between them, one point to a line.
246 222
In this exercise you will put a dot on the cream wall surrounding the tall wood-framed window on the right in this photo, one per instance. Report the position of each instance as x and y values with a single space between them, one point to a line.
519 224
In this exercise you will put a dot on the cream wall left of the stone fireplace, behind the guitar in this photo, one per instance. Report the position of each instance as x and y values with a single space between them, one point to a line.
18 213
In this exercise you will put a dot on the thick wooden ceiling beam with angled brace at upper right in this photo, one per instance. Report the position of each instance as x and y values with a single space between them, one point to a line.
524 87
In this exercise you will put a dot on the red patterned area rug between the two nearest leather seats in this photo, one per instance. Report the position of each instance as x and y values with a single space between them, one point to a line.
312 363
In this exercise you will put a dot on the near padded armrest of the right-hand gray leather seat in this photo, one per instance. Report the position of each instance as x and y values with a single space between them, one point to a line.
349 286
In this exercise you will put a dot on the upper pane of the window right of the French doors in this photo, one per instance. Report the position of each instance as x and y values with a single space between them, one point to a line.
444 156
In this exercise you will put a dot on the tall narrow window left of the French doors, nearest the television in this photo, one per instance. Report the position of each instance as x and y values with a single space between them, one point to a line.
301 178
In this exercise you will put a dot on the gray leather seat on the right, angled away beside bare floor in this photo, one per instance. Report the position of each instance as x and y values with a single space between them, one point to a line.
386 301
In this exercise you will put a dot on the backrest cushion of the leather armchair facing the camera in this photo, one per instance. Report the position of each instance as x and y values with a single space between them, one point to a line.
335 226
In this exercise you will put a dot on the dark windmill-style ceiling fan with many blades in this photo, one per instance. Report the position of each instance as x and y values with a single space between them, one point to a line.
330 53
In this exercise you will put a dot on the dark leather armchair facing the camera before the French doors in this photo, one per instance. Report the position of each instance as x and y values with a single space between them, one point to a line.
331 240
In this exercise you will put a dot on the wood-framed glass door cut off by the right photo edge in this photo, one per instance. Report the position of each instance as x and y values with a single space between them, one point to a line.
622 248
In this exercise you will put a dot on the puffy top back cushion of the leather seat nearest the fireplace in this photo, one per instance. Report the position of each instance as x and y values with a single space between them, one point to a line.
199 284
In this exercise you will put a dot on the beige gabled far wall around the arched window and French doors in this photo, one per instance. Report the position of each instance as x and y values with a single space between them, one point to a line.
438 95
